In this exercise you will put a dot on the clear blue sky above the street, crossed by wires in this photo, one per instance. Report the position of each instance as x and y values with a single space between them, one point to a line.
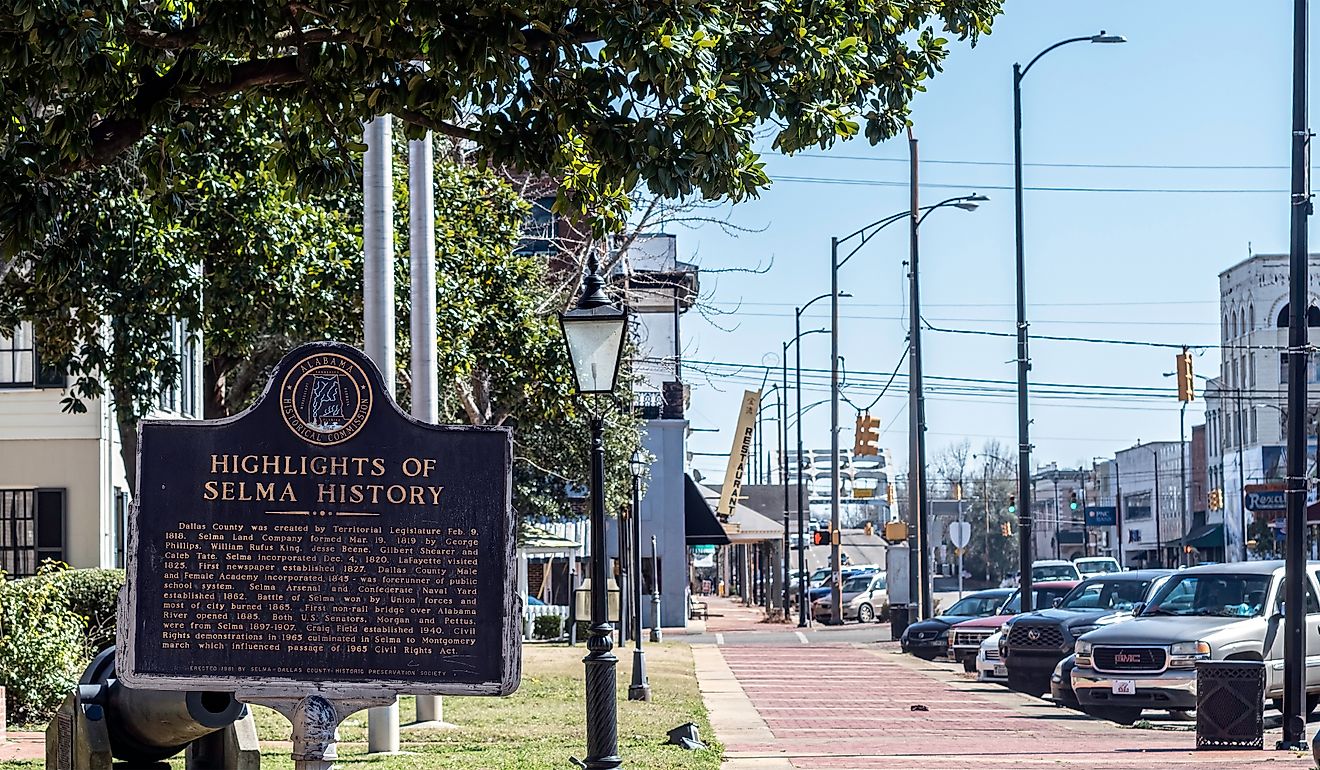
1204 85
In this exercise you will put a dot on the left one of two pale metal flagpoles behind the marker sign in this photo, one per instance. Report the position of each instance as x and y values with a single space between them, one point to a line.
378 303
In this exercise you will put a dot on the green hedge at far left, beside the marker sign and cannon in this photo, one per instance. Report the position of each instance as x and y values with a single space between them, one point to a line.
51 627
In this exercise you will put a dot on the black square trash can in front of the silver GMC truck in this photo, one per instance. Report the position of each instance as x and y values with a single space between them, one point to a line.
1230 705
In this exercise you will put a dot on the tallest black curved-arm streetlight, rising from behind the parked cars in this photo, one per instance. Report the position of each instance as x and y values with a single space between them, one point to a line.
1024 361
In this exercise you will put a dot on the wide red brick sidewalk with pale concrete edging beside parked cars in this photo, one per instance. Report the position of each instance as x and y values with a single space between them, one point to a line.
845 707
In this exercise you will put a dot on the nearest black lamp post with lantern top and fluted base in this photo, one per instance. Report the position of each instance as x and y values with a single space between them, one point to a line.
595 333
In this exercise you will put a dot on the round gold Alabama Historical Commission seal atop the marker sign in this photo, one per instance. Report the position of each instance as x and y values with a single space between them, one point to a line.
325 400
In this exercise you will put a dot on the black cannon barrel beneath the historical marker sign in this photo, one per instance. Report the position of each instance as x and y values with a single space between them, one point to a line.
148 726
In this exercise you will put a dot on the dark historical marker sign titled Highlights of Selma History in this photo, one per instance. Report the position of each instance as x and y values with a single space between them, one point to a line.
323 540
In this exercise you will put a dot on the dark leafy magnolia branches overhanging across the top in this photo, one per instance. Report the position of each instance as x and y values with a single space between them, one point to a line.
605 97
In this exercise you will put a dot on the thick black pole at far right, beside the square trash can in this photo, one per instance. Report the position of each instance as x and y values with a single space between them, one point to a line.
1296 577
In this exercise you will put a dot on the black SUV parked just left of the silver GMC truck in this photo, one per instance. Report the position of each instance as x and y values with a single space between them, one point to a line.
1034 644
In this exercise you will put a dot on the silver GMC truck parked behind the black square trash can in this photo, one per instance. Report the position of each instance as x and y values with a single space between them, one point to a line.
1223 612
